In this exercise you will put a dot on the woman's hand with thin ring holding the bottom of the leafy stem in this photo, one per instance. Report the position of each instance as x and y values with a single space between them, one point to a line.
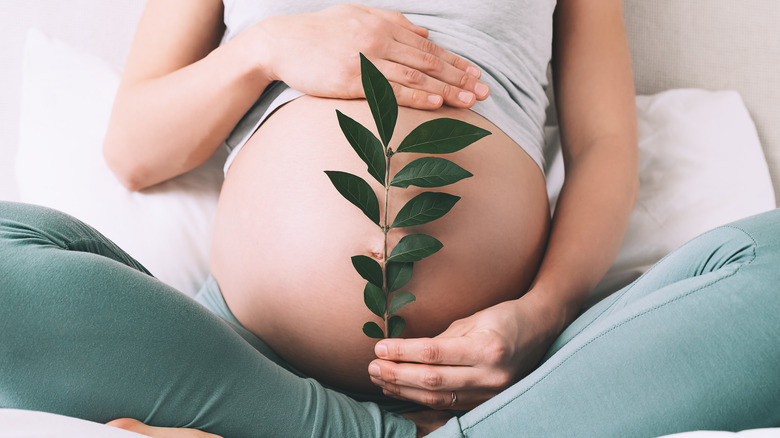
473 360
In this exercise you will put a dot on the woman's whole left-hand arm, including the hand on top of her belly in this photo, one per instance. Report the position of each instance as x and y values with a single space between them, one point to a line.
181 93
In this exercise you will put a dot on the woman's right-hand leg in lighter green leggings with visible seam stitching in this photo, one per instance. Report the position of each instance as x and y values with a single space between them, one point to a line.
690 345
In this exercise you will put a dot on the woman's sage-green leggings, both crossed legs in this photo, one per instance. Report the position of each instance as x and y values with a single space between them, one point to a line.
86 331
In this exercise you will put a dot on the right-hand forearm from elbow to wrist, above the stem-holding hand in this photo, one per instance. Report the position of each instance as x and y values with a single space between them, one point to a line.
587 229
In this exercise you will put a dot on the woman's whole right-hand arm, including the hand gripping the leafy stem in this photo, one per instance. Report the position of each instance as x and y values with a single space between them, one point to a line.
497 346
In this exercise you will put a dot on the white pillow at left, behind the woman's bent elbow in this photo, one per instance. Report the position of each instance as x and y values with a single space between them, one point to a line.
66 102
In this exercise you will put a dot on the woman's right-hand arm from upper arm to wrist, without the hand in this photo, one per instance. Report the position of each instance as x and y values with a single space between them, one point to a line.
597 115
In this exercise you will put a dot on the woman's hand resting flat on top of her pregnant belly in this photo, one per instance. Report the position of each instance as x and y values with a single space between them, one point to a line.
317 53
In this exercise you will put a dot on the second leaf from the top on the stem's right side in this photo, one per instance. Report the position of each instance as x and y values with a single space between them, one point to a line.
429 172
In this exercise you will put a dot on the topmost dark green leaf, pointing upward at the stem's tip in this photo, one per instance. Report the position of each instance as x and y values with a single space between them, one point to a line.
381 99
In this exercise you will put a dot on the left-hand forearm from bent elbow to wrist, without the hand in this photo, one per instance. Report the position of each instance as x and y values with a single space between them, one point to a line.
164 126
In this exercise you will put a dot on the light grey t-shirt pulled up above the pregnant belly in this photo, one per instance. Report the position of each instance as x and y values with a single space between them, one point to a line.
510 41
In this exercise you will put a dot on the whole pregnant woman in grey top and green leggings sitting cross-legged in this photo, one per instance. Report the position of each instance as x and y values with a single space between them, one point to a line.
279 352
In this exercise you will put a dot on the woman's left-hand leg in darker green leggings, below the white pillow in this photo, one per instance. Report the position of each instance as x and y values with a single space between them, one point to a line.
86 332
